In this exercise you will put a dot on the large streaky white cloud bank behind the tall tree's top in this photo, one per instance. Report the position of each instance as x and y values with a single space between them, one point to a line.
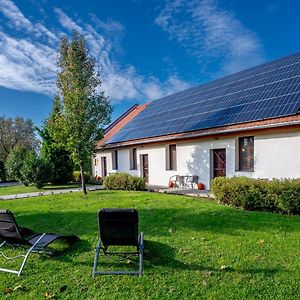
29 63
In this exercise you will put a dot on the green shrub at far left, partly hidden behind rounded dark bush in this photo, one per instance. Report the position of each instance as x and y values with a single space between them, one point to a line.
15 162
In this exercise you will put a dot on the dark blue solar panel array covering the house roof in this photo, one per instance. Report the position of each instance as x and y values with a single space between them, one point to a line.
263 92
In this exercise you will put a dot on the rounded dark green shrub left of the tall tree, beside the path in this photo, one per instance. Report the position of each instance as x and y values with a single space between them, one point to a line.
36 170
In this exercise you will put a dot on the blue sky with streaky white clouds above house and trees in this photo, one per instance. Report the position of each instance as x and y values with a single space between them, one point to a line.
144 49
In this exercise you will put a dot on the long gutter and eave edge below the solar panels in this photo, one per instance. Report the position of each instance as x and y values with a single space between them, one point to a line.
200 134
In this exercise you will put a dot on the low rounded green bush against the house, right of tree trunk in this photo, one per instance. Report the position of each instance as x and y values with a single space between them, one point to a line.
124 181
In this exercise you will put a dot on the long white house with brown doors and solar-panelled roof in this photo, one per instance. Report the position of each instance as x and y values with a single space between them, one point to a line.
245 124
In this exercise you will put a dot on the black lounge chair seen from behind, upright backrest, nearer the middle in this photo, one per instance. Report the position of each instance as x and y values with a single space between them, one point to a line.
119 227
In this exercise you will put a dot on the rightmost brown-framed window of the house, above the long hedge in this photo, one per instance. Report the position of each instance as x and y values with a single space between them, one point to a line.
246 153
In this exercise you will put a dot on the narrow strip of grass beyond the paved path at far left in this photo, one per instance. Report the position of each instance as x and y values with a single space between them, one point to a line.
21 189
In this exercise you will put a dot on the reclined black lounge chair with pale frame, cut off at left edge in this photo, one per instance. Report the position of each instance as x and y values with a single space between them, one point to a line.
15 236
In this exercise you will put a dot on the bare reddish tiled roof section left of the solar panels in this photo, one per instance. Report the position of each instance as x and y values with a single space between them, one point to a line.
120 122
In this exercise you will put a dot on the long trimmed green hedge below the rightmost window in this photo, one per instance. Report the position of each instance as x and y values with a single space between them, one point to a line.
257 194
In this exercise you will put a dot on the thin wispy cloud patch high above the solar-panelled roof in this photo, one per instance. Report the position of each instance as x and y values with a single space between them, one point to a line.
210 33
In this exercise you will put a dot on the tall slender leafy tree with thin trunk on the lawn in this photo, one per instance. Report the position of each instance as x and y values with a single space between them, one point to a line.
85 110
